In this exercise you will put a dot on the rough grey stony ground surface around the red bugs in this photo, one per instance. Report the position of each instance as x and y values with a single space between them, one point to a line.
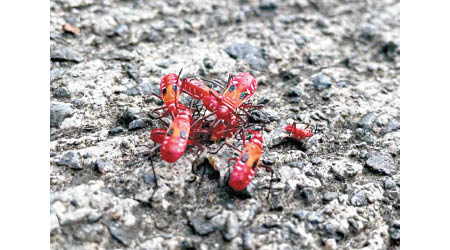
333 64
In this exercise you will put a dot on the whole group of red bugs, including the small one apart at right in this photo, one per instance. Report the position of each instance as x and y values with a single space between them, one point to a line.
228 117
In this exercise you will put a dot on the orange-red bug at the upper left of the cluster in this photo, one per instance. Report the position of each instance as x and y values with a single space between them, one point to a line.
170 91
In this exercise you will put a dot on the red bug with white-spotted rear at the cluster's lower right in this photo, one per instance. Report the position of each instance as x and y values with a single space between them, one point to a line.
246 165
